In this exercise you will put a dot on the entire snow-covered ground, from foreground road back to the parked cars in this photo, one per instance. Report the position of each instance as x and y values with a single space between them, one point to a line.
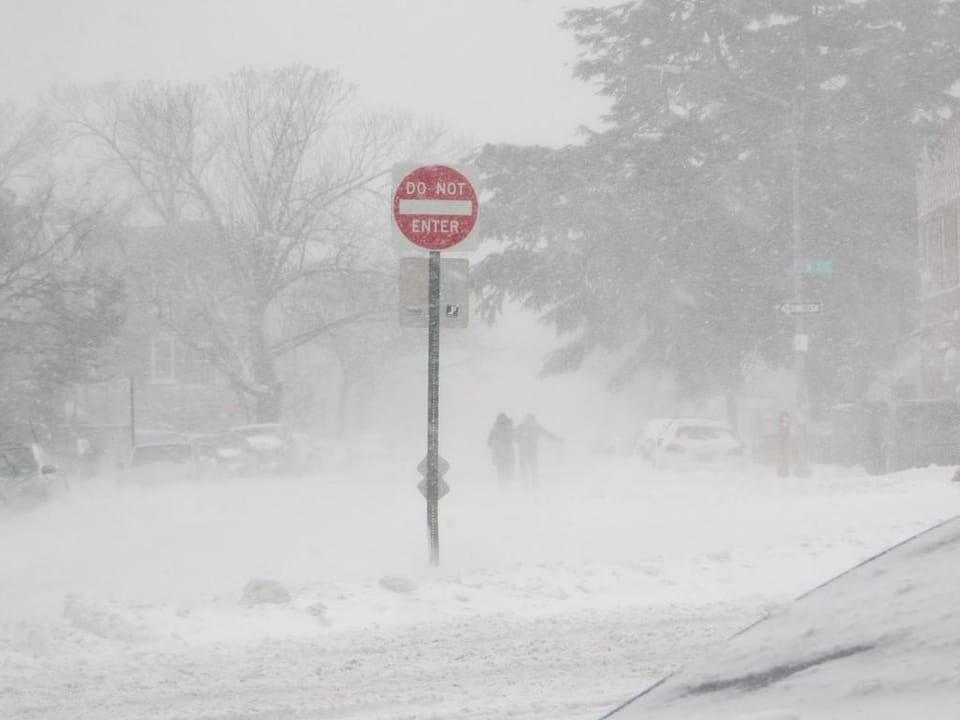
556 603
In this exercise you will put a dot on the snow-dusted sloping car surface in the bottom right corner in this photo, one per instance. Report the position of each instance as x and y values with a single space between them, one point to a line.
880 641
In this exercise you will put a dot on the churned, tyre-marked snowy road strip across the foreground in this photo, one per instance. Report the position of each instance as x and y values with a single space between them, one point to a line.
572 666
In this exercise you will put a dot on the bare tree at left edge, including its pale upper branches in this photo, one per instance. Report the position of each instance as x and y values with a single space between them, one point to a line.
56 309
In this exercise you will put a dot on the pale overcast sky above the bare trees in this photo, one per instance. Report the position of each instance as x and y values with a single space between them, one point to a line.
493 70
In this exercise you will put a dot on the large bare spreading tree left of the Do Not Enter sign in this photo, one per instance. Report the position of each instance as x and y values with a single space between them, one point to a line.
261 184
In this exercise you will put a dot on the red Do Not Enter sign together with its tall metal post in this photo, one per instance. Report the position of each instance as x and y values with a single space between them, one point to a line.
435 208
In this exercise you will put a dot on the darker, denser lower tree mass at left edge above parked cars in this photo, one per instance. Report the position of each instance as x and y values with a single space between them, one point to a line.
57 311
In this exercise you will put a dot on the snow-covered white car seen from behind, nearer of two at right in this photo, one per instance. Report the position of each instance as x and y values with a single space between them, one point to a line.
692 442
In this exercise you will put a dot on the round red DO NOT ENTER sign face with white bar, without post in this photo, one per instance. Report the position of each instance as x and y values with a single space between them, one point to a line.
435 207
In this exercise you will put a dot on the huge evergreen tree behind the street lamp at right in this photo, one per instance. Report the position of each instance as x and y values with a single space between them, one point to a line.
672 236
